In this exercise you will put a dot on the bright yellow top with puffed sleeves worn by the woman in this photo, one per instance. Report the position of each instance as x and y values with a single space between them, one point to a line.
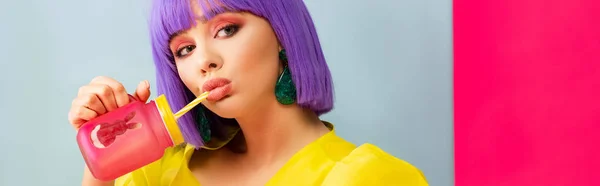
330 160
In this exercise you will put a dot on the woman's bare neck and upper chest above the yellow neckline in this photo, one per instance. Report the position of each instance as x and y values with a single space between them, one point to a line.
278 131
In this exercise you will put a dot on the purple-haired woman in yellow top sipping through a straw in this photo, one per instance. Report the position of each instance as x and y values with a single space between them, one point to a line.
262 63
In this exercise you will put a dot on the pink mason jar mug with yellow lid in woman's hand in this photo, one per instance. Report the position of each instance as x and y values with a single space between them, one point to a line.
128 138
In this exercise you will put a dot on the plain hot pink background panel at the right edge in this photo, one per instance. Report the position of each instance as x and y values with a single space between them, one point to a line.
527 92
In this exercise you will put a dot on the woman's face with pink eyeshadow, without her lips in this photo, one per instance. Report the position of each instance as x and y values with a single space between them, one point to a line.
240 47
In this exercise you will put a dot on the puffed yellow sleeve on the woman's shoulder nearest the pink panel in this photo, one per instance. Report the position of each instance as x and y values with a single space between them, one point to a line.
370 165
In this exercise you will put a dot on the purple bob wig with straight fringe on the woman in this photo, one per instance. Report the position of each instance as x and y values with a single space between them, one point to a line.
293 27
